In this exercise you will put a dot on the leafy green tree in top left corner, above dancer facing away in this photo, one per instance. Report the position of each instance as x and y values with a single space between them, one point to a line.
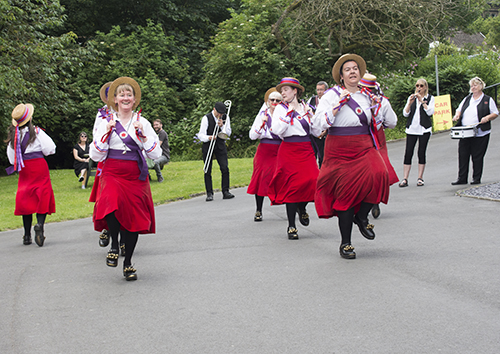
36 67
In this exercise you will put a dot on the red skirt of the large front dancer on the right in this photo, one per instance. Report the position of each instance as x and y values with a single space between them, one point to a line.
352 172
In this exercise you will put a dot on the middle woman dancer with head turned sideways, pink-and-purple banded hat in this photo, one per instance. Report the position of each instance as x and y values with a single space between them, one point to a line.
296 171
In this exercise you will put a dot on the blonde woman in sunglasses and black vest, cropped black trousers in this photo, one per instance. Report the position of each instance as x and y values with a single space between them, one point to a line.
419 109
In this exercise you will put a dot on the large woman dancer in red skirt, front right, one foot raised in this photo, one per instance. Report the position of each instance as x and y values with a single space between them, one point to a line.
353 176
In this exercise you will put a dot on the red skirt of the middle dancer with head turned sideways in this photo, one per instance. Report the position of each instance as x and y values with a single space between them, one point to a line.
294 179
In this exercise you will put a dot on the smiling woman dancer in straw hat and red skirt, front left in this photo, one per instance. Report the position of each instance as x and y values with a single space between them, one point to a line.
125 204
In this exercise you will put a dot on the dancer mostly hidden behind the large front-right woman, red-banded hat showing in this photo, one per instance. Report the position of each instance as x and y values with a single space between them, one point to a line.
385 119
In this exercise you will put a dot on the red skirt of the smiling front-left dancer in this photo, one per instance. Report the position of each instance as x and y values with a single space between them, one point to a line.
122 192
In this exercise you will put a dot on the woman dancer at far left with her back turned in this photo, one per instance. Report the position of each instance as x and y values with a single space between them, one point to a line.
27 146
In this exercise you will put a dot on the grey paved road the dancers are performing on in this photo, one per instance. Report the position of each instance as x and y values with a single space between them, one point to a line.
213 281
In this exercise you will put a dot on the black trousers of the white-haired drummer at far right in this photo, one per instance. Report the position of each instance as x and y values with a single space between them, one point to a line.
474 148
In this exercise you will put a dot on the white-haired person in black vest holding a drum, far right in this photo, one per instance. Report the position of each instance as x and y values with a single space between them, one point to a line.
476 108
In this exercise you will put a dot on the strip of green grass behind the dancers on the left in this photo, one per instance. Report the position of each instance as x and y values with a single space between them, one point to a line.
182 180
